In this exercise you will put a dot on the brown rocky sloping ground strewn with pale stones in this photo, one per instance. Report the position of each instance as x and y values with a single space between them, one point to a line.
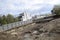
35 31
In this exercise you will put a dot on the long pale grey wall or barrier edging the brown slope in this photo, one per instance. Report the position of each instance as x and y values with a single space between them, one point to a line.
13 25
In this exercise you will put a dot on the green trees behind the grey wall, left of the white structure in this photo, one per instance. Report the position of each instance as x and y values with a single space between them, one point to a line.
6 19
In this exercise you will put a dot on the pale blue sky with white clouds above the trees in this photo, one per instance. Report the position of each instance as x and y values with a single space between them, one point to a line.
32 6
